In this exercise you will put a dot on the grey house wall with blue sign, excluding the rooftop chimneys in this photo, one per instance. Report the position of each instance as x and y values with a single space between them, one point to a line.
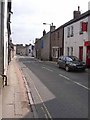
42 47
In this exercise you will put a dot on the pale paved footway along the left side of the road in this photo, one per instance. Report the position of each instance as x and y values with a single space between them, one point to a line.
14 102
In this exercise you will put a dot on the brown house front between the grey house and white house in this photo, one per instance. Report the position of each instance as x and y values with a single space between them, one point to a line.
57 43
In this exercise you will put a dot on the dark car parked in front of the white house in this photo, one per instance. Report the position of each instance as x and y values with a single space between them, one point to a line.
71 63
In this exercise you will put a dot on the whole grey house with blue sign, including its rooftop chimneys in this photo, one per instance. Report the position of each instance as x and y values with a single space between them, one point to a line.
43 46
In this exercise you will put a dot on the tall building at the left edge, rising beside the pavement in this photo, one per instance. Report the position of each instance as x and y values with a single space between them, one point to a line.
5 32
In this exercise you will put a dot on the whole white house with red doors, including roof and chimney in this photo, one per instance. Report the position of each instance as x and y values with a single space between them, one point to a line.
76 37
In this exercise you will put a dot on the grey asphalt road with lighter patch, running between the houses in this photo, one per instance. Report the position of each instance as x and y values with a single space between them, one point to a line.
55 92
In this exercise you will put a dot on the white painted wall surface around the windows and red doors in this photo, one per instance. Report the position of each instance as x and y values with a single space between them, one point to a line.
77 40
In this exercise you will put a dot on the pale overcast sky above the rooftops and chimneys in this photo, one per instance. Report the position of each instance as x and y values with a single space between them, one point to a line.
29 15
